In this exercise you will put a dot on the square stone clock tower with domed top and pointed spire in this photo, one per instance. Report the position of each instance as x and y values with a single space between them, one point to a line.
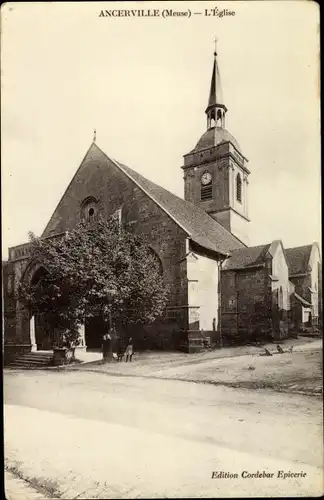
215 171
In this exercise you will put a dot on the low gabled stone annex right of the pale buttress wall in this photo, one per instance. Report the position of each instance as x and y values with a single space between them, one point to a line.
256 293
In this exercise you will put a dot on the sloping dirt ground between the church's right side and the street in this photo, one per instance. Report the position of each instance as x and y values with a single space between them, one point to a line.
299 371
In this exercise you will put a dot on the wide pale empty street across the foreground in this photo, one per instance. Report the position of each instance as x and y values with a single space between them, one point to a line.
93 435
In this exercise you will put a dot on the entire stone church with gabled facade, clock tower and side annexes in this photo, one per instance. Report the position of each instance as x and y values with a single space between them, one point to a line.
219 286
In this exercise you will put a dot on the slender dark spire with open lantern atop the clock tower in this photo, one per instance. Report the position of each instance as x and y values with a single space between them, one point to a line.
216 108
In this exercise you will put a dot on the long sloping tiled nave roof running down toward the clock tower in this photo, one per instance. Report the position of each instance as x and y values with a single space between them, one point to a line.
199 226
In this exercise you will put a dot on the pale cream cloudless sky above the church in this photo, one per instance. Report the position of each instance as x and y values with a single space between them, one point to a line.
143 83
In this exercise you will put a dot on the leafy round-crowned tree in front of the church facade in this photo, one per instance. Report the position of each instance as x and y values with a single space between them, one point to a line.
99 268
